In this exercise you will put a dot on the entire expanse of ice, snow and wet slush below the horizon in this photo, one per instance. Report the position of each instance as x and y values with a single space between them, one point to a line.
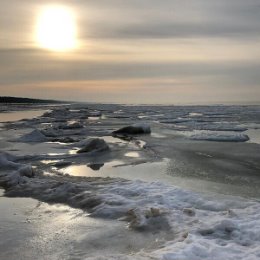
153 186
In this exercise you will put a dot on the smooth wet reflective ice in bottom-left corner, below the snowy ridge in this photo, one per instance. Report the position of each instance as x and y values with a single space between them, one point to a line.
34 230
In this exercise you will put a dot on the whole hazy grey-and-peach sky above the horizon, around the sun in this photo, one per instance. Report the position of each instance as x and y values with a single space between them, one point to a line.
137 51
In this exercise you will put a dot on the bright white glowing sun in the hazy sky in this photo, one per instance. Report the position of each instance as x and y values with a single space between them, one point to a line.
56 29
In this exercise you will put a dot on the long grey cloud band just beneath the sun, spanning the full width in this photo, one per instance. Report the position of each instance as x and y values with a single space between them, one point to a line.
26 66
